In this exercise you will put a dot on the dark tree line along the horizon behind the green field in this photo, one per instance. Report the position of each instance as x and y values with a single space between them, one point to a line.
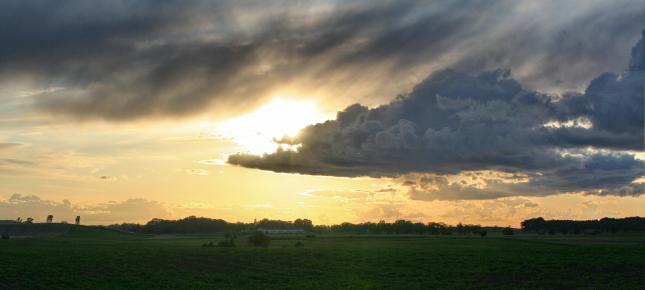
203 225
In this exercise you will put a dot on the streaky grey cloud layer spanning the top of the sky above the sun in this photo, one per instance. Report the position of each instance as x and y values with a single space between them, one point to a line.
121 60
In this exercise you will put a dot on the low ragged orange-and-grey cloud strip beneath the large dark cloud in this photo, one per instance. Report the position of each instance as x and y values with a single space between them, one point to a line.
599 175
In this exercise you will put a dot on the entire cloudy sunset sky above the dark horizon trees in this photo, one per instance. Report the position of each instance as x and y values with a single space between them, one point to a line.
481 112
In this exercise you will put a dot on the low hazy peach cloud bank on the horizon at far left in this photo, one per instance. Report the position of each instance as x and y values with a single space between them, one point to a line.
131 210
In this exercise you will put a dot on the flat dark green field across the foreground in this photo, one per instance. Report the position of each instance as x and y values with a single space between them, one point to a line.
89 258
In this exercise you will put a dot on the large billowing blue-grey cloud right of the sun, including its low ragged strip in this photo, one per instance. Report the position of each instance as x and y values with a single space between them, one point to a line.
455 122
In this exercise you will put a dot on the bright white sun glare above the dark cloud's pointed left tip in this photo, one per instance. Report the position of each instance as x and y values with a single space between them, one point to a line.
256 131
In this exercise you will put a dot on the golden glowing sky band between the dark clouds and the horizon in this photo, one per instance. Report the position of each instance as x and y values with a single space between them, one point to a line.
180 166
